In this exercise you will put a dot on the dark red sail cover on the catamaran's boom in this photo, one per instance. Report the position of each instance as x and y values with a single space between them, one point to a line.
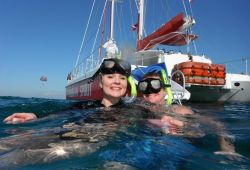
168 34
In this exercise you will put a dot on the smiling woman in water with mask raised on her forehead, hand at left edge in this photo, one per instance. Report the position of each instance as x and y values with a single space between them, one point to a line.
114 75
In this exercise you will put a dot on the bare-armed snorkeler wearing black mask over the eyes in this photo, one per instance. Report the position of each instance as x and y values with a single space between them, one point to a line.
154 91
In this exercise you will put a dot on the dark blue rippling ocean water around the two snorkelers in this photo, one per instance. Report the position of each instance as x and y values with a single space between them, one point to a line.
95 139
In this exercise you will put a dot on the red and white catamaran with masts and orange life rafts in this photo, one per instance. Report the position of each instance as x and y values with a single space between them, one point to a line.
207 82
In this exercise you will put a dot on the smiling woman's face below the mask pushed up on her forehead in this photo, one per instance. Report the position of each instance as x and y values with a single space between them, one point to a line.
114 85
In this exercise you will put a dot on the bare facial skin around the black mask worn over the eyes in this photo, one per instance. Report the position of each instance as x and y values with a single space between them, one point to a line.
156 98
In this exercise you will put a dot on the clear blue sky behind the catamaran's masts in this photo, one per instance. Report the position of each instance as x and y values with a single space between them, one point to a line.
43 37
